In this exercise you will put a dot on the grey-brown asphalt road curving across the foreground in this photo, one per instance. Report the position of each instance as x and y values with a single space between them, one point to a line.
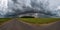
17 25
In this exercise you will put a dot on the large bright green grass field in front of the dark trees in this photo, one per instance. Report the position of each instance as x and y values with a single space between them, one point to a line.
39 20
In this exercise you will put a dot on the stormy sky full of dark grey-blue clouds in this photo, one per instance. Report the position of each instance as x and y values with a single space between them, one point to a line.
43 8
